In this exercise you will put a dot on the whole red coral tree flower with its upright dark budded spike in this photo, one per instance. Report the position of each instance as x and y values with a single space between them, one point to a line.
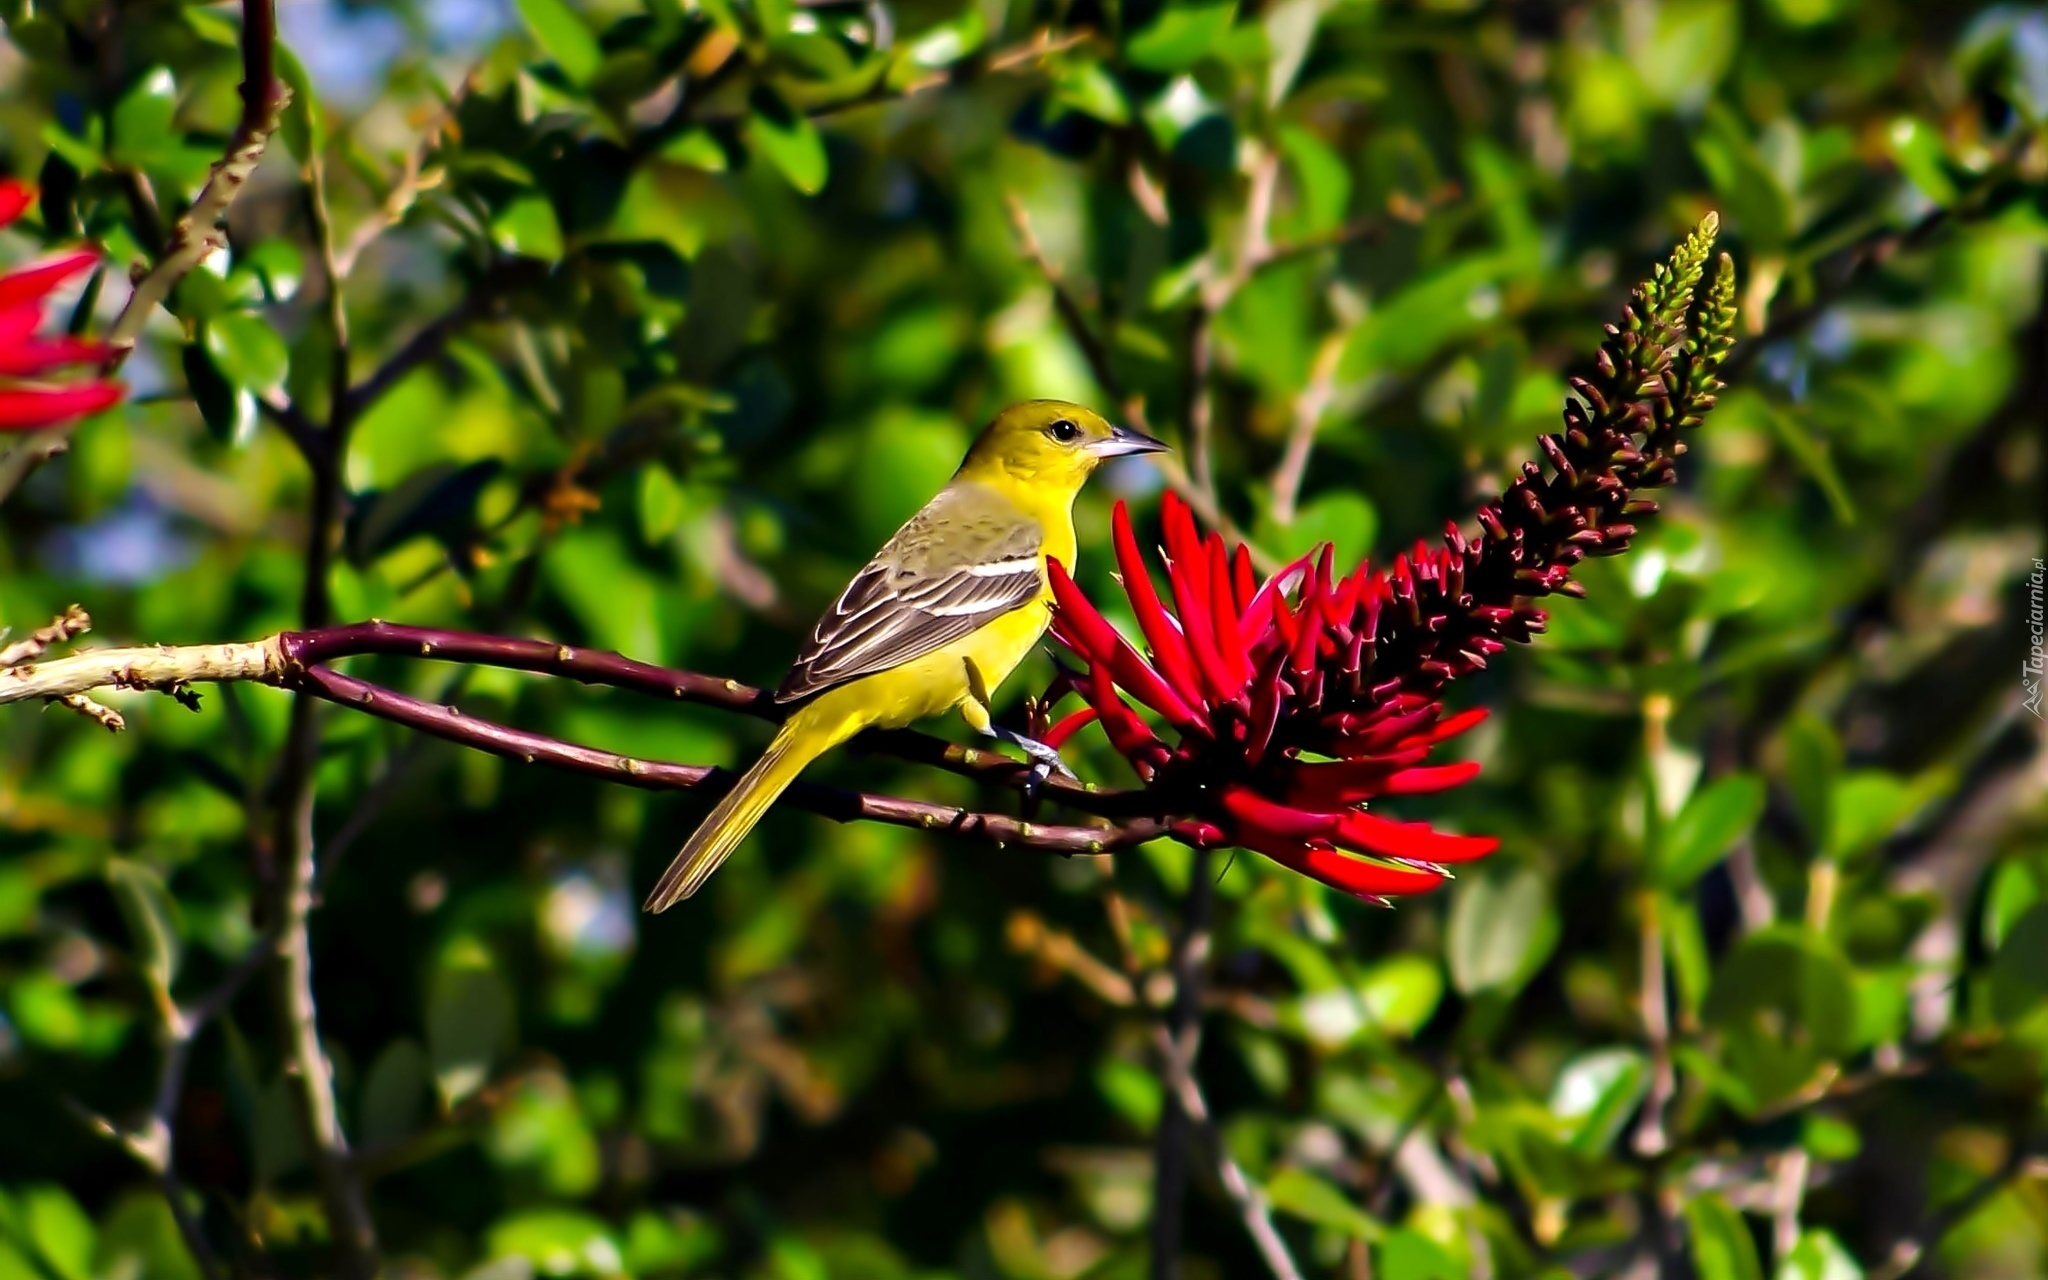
1299 701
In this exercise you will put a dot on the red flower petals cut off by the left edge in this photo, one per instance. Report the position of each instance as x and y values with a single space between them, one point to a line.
28 396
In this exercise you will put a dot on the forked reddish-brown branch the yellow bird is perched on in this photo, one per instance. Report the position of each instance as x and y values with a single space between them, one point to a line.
296 660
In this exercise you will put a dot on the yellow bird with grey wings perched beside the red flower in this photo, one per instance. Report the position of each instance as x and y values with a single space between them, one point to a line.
943 613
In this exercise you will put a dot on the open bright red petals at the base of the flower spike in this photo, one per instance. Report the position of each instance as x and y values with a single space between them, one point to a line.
1283 740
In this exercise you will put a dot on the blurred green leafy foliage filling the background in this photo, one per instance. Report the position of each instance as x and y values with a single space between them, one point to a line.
714 298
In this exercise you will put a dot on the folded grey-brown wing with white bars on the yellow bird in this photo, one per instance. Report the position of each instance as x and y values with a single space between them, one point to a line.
957 564
